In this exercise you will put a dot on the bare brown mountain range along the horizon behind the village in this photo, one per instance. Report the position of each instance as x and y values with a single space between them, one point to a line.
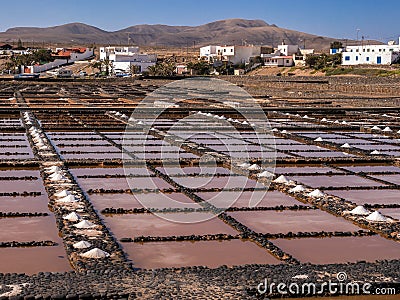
231 31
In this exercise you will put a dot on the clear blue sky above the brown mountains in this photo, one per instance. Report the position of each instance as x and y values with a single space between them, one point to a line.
337 18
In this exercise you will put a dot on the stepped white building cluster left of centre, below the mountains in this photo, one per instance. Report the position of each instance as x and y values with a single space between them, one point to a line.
122 58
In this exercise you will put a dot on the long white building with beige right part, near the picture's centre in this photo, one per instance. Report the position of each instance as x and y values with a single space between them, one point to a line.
233 54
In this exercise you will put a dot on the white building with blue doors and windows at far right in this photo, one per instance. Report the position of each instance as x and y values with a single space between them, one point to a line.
371 54
